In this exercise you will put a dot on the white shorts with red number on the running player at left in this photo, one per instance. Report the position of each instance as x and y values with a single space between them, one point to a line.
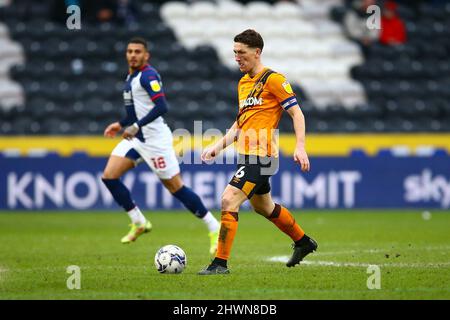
160 158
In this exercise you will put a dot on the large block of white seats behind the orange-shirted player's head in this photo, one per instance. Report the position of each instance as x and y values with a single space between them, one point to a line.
300 41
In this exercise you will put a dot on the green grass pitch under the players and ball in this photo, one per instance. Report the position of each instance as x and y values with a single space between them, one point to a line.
413 254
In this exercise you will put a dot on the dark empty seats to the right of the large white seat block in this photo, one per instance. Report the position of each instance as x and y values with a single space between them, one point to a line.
410 83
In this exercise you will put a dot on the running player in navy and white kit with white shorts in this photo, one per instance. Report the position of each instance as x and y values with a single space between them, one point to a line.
148 138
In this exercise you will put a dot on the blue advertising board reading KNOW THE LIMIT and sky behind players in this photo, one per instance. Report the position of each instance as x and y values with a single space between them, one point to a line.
356 181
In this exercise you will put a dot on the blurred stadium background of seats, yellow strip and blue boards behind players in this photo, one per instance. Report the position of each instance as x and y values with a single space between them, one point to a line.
377 114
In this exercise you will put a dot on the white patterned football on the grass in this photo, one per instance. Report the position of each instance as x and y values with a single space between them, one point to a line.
170 259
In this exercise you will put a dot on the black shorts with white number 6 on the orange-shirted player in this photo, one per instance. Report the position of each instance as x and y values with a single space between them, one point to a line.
253 174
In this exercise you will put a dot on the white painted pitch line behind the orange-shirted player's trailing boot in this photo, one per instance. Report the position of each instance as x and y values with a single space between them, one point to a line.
285 259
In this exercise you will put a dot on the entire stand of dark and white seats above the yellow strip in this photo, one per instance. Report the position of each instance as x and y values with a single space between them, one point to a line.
72 80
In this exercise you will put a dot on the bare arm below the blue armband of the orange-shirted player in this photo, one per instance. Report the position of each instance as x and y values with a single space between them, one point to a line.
298 119
